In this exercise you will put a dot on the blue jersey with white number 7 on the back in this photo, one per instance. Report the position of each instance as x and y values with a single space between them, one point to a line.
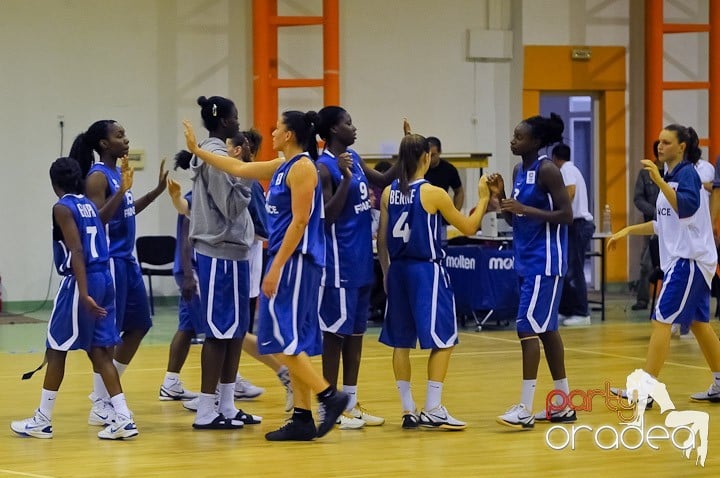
91 231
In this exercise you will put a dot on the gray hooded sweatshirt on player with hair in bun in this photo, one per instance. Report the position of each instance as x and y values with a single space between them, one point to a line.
220 224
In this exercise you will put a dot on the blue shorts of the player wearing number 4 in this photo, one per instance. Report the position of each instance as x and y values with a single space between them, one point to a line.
420 306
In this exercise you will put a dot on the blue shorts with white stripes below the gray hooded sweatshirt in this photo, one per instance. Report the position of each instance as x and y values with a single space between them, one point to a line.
224 301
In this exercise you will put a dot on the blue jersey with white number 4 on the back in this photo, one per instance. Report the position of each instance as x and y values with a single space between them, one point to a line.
412 232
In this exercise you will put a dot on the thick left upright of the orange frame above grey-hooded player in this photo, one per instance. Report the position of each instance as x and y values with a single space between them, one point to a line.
264 70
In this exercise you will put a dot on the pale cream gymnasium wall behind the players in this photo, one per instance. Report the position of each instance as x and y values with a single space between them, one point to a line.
144 62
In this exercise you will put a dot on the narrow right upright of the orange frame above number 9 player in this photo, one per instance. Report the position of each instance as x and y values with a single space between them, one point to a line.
331 52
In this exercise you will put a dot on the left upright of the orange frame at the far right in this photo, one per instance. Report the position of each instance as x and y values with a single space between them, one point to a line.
654 20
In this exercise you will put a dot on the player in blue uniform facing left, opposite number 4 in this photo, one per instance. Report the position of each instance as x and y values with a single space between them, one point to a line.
539 210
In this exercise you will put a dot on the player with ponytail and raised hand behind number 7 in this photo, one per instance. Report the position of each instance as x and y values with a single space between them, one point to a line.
107 138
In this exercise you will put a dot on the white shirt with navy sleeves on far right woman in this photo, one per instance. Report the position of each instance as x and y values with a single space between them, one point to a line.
687 232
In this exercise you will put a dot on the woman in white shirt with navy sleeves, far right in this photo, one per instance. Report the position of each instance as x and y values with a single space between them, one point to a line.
688 256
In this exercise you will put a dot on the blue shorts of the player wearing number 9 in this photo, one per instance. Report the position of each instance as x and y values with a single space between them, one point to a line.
344 310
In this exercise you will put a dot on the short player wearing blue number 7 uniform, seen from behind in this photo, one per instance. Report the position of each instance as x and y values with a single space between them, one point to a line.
83 315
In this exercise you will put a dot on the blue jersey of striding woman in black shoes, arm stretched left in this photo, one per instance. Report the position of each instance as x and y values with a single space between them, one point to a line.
279 216
